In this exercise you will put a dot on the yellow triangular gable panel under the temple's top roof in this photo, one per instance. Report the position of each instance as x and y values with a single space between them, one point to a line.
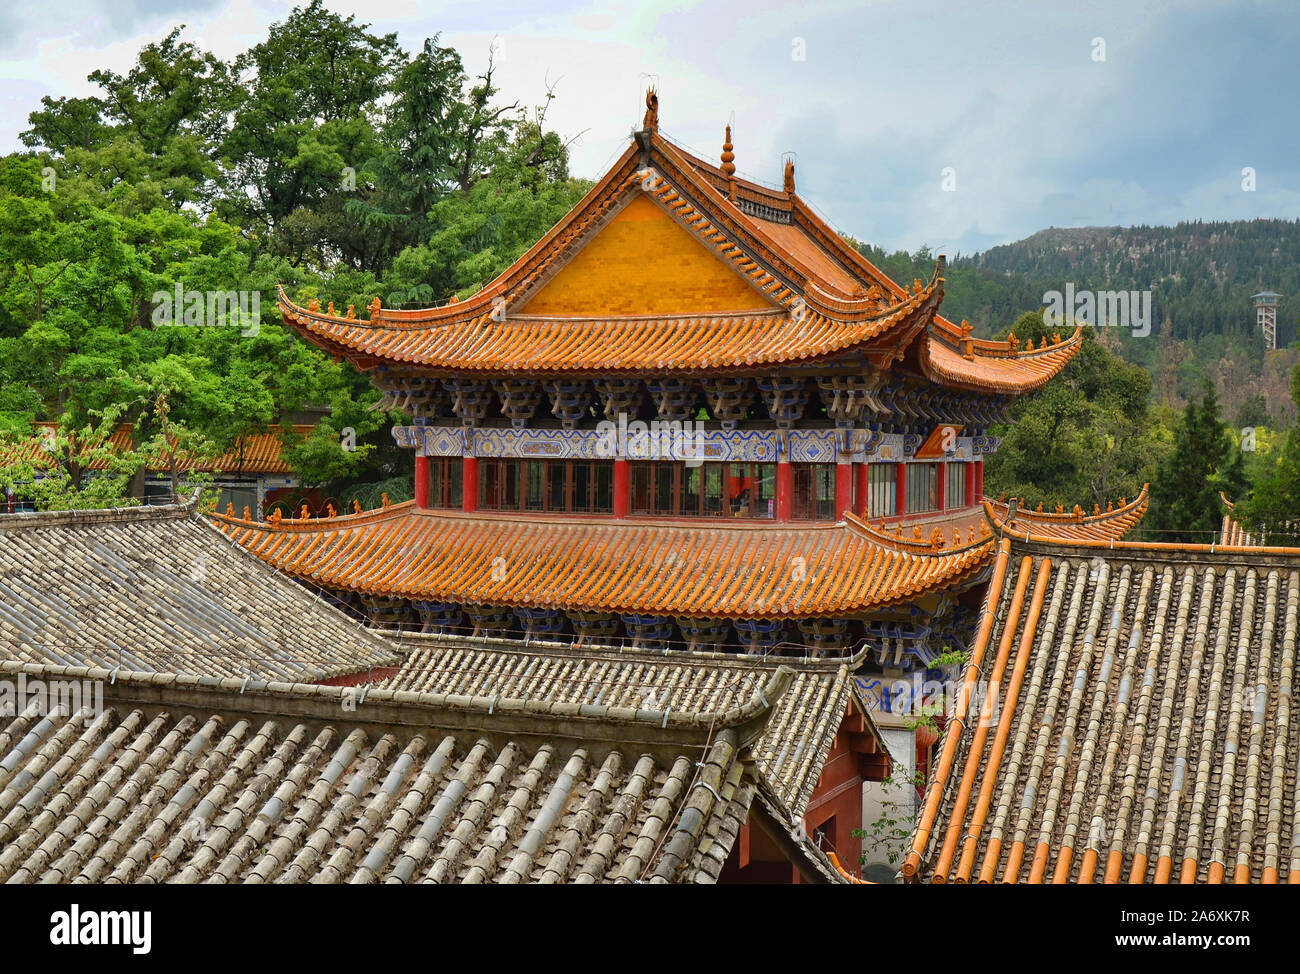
644 263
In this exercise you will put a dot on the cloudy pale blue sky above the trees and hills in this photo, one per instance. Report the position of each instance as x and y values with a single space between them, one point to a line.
952 125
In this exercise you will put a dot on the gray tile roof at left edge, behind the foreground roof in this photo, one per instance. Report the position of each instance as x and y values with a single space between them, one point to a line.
162 590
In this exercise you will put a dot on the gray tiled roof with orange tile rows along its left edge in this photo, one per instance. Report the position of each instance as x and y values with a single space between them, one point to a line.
1125 718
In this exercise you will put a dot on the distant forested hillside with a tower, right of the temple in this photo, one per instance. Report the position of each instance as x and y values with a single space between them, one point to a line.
1202 276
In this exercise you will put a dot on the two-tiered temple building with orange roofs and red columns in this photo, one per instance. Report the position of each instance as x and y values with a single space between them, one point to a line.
691 415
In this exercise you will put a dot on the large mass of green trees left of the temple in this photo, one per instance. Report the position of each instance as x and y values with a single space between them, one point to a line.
323 159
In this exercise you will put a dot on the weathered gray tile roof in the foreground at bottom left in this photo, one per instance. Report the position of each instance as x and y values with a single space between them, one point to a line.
224 781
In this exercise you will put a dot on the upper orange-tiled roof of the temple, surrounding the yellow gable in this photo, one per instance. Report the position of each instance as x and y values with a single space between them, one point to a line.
826 298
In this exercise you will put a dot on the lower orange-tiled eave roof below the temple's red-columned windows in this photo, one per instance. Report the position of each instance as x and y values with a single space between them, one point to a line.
682 569
